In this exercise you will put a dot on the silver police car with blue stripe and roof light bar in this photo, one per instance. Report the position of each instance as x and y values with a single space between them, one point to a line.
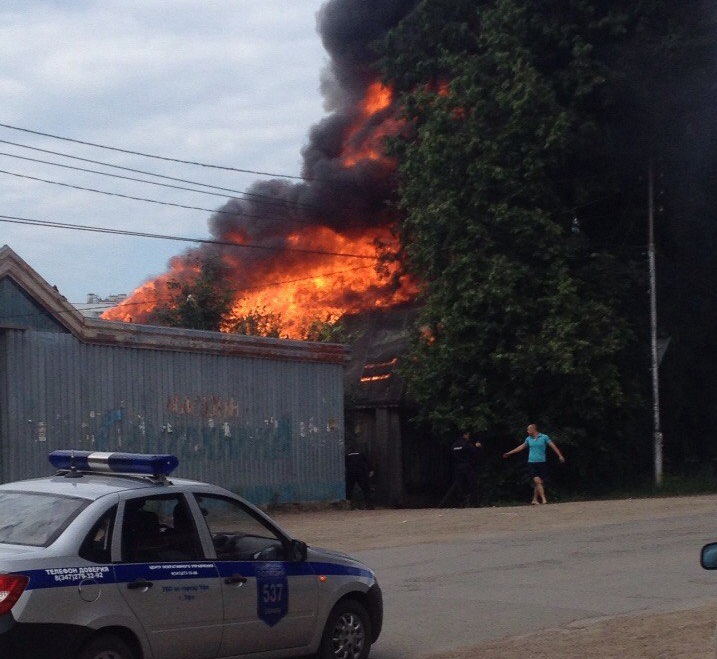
111 558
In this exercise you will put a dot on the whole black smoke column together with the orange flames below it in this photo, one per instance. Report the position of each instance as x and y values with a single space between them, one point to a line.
339 207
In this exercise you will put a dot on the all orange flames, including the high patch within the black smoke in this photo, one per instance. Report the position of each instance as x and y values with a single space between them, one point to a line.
303 287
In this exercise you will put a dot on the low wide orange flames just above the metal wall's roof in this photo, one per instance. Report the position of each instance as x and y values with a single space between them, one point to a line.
298 289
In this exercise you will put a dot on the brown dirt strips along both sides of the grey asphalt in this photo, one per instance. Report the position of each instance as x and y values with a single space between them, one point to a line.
676 635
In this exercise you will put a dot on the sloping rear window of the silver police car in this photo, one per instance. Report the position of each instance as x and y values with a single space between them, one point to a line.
27 518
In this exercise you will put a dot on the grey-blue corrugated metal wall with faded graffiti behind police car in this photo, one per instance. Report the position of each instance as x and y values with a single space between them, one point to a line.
270 430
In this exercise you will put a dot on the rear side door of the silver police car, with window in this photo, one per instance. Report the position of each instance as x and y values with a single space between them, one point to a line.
172 590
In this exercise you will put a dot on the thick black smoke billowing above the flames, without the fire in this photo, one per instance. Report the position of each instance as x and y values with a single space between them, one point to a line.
345 199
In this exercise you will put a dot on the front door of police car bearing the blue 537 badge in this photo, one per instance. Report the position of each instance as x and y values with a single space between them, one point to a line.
269 603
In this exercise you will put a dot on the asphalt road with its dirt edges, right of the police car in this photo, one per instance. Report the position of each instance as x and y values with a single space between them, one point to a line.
620 578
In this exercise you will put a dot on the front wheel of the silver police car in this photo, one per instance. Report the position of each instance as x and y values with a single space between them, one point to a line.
347 634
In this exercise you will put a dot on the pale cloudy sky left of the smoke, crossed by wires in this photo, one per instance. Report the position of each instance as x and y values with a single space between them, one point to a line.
227 82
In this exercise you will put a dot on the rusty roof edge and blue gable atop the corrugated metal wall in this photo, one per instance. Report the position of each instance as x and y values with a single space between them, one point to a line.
28 302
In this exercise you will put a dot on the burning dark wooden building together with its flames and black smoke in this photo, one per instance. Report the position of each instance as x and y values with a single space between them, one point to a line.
326 246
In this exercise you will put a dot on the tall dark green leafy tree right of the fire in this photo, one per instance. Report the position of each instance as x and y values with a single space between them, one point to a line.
522 177
